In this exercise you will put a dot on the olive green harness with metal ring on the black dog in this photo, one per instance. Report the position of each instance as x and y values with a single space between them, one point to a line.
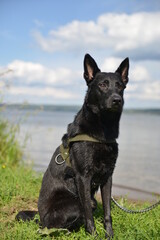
64 152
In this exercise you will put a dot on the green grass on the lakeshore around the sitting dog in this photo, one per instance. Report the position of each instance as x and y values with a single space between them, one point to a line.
19 189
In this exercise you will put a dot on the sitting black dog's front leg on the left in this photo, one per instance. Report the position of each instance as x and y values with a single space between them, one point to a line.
84 190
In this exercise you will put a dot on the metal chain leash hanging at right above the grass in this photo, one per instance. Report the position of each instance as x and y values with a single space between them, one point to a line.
136 211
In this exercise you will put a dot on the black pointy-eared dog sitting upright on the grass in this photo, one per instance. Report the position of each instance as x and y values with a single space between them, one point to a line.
66 198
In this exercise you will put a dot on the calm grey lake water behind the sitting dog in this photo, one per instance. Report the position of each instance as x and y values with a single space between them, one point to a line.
138 164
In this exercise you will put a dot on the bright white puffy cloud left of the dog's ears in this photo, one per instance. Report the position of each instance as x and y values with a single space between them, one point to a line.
37 73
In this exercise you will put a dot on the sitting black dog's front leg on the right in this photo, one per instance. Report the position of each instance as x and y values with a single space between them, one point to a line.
106 199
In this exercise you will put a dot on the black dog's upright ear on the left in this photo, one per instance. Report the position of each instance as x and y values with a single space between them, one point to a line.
90 68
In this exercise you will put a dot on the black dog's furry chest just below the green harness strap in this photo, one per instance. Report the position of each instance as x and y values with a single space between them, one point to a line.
94 160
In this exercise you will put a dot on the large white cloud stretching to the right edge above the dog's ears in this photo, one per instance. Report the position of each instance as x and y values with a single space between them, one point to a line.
118 32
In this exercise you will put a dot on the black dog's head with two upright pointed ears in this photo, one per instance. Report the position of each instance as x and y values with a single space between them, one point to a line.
105 90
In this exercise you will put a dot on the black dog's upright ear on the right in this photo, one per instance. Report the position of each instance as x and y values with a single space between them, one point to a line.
123 70
